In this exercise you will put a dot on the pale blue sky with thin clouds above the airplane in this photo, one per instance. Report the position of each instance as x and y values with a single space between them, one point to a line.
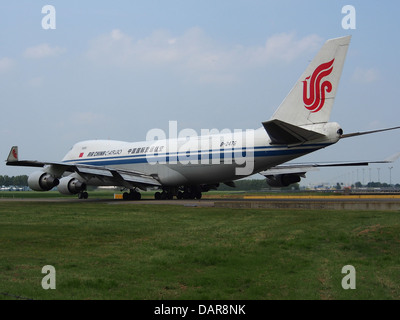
115 70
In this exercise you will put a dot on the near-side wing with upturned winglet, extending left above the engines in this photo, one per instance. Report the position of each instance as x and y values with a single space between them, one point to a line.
126 178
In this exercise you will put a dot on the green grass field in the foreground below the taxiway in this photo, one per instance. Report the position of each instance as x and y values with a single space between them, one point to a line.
122 250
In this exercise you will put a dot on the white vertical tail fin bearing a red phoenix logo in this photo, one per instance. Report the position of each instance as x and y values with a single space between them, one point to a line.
311 99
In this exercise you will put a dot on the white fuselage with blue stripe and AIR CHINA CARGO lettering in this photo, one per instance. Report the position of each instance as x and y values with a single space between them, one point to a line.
206 159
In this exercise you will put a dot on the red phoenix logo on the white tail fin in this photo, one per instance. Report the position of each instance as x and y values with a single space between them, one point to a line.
314 97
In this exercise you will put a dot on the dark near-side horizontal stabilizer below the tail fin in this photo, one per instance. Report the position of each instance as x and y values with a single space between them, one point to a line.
282 132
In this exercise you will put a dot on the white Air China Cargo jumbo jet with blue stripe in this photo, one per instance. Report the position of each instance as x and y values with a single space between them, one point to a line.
185 167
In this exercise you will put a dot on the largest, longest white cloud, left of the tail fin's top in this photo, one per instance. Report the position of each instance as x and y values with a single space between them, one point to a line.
195 52
